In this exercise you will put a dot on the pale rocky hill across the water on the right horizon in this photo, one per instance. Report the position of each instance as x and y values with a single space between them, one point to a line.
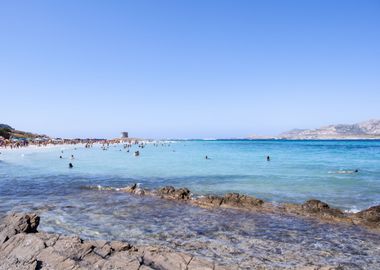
364 130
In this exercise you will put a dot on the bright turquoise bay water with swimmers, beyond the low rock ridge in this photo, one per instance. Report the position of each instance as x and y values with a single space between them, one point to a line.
298 170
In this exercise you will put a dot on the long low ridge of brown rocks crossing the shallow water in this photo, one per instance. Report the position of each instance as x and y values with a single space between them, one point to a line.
368 218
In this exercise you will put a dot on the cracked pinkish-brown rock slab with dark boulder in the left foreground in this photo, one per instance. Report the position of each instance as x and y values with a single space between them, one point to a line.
28 249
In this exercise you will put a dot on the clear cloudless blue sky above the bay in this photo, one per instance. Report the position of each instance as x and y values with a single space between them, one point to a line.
187 69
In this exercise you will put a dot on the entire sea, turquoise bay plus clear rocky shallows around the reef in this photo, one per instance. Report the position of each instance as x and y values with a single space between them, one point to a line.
37 179
